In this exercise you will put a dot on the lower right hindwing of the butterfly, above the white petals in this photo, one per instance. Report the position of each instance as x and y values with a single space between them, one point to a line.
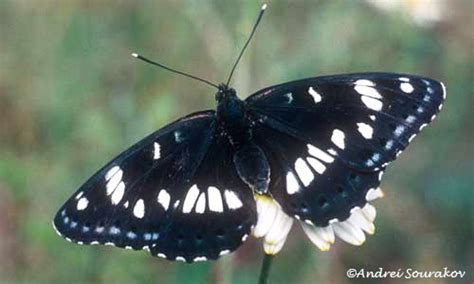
311 184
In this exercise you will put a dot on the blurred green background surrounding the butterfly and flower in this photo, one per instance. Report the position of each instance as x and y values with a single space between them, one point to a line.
72 97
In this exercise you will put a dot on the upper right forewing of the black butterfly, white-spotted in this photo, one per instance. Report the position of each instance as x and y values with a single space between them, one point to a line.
366 118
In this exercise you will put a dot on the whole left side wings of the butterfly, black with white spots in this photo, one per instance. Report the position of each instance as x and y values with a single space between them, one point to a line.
175 193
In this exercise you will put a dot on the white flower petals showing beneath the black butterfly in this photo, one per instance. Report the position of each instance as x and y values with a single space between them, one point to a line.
273 225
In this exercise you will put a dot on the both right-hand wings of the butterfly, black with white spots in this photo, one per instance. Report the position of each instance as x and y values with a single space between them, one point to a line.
328 139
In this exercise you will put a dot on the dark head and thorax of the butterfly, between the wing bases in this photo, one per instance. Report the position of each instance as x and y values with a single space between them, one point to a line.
232 116
